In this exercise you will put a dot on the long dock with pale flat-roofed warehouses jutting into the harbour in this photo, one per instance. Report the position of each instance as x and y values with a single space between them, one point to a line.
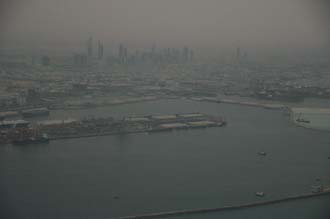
92 127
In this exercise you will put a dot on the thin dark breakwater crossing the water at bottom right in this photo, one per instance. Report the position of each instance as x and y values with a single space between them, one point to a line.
225 208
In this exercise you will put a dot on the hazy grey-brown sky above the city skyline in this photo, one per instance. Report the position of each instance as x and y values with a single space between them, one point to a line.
253 23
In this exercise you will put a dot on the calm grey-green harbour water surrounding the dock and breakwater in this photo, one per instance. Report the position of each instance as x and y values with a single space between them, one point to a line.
80 178
